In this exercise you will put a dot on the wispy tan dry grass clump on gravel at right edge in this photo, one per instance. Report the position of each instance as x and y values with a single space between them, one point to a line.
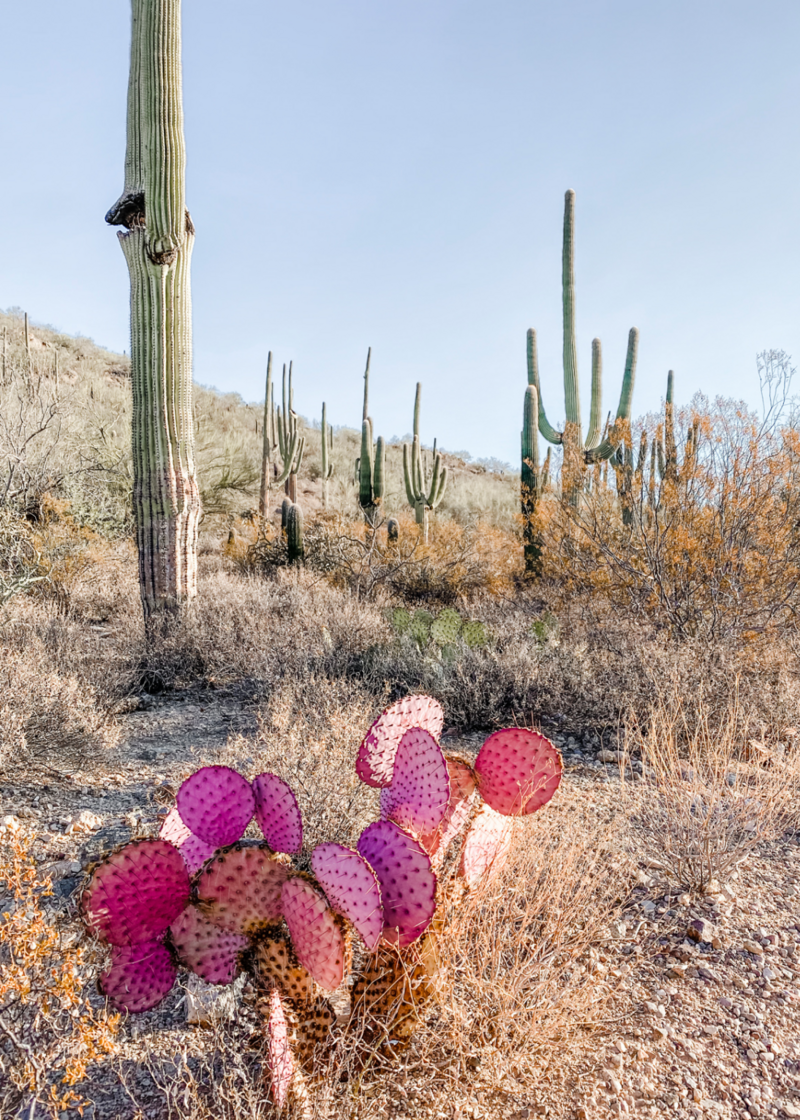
711 794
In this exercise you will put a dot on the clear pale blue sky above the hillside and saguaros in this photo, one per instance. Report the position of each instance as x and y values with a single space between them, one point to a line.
393 174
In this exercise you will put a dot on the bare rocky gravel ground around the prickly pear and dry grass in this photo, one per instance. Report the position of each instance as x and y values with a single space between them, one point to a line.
709 1021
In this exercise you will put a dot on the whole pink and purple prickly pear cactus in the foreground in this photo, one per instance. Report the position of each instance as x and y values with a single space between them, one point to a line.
204 899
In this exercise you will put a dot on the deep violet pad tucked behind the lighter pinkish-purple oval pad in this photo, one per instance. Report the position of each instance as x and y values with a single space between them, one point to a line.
408 884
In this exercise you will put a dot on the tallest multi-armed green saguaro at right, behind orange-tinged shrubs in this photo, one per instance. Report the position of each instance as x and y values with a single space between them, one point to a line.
579 452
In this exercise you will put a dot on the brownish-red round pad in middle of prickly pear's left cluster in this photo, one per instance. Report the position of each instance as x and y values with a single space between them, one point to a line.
240 890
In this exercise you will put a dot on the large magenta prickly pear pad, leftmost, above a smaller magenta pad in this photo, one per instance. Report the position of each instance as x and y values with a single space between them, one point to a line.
136 893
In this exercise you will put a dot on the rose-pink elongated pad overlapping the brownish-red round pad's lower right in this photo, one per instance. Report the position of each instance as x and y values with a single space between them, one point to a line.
315 935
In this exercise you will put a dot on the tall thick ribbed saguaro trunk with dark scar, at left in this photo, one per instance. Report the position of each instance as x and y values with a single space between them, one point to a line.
157 245
